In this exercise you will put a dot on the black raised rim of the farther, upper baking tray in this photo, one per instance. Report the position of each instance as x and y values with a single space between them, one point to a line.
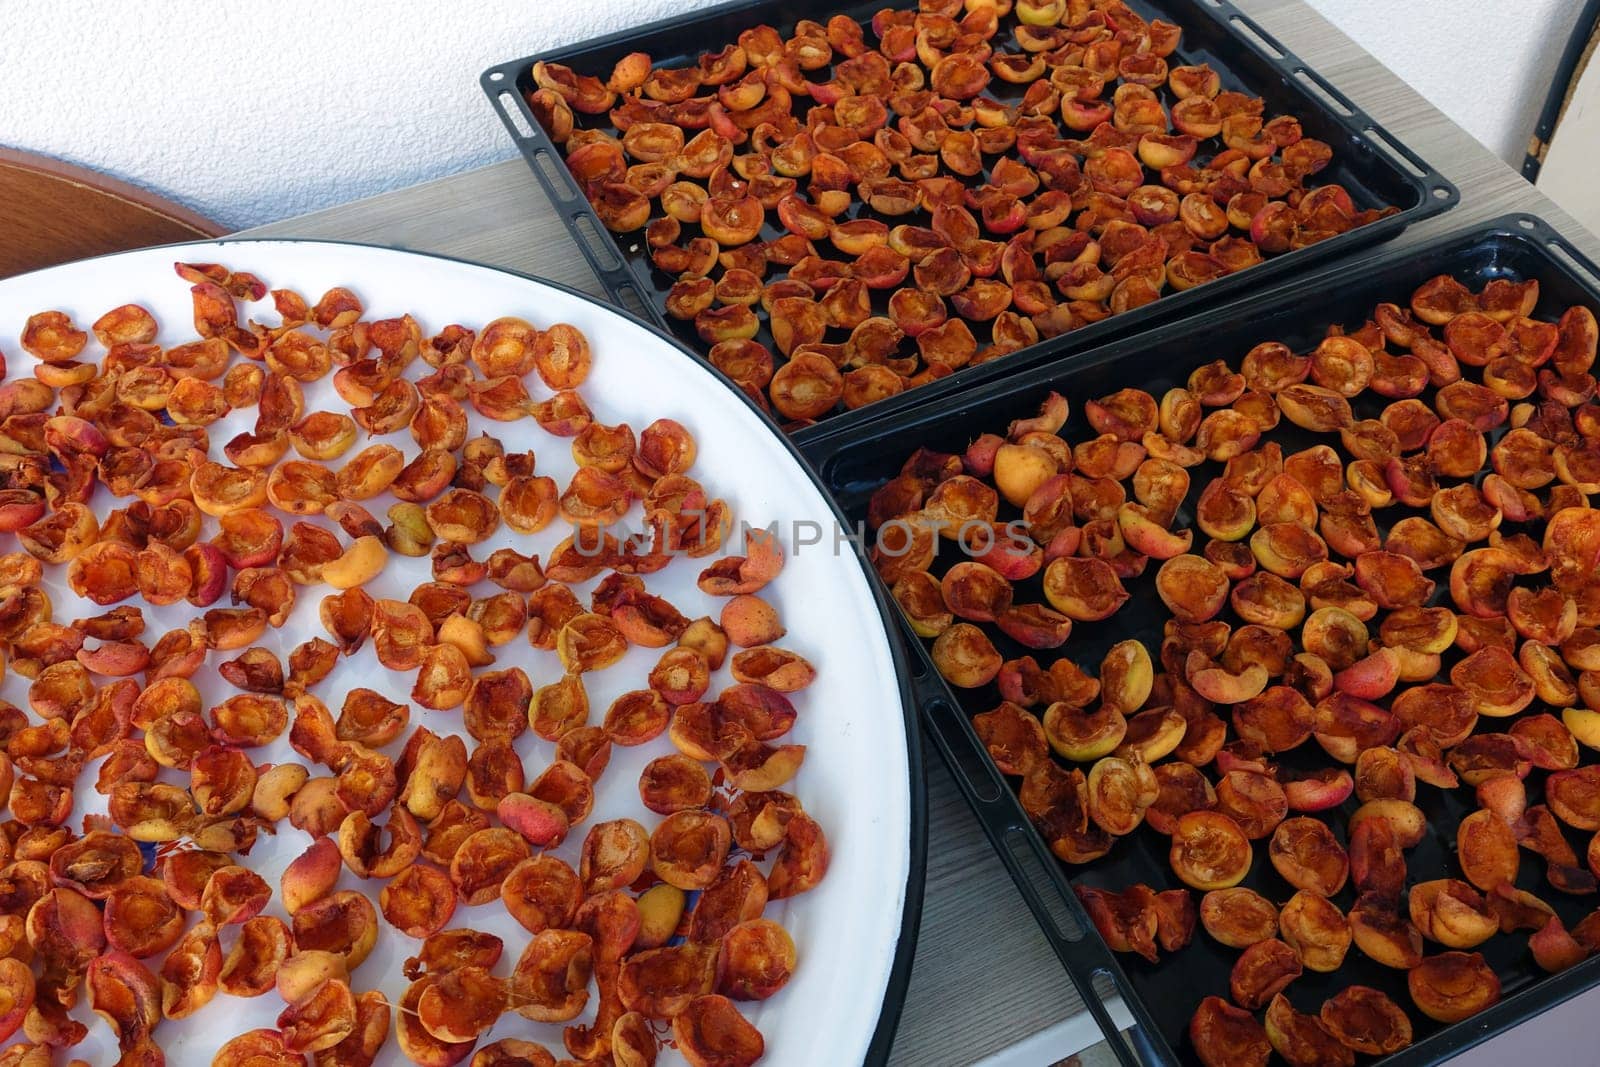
623 282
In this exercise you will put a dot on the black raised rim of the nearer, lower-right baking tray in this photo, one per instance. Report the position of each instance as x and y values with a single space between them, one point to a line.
1086 957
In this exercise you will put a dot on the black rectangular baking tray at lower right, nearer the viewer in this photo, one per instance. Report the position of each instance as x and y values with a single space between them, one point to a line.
1162 997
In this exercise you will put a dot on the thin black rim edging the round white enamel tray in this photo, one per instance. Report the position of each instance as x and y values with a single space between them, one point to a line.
918 781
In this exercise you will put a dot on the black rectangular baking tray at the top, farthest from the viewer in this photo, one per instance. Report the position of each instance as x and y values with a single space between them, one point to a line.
1374 166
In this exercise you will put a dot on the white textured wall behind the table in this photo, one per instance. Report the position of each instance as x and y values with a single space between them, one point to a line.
313 103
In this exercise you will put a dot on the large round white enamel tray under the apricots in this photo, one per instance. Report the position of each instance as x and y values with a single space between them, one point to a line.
857 777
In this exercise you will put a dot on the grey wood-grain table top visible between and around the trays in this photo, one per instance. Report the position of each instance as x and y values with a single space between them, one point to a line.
985 977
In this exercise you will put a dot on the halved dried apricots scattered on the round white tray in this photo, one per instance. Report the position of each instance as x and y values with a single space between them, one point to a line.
153 909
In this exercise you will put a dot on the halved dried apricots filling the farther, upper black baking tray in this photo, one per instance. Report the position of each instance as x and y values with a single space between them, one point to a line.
863 194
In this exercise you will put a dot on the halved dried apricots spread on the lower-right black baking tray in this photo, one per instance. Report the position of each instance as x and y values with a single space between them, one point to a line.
1382 577
